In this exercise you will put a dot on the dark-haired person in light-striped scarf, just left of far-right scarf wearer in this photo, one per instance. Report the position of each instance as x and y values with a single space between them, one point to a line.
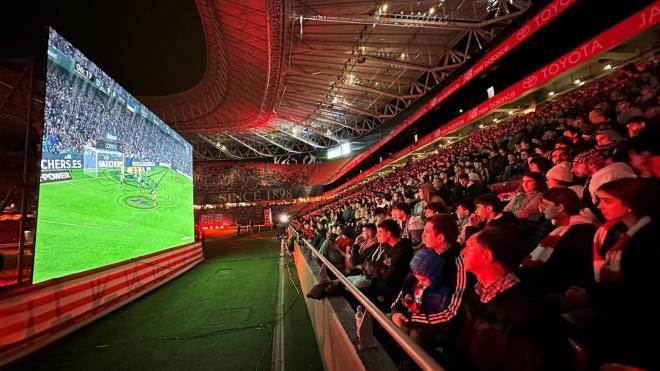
563 258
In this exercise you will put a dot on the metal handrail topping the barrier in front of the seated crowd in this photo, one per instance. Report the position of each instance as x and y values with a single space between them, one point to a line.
419 355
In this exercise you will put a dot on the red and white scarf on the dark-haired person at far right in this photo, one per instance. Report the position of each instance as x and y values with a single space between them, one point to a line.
608 269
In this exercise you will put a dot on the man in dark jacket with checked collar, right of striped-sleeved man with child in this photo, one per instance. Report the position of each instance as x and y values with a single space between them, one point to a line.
508 325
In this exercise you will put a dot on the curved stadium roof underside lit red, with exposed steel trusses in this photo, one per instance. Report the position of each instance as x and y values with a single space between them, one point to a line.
299 76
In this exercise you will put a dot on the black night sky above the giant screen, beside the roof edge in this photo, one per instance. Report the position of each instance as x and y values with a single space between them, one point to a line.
151 47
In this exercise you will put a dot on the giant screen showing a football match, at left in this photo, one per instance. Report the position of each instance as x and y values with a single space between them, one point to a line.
116 181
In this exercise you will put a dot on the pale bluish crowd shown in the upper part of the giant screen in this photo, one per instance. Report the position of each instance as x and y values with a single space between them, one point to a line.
77 114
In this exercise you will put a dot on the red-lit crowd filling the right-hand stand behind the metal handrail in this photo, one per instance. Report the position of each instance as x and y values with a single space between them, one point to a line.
554 215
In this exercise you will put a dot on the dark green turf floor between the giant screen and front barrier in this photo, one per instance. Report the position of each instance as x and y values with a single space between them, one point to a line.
218 316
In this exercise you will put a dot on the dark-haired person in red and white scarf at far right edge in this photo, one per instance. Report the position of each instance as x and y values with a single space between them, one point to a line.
620 314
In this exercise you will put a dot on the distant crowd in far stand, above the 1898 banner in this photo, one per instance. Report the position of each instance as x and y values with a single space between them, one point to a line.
210 179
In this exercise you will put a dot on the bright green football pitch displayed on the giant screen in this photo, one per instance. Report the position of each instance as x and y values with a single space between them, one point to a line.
89 222
